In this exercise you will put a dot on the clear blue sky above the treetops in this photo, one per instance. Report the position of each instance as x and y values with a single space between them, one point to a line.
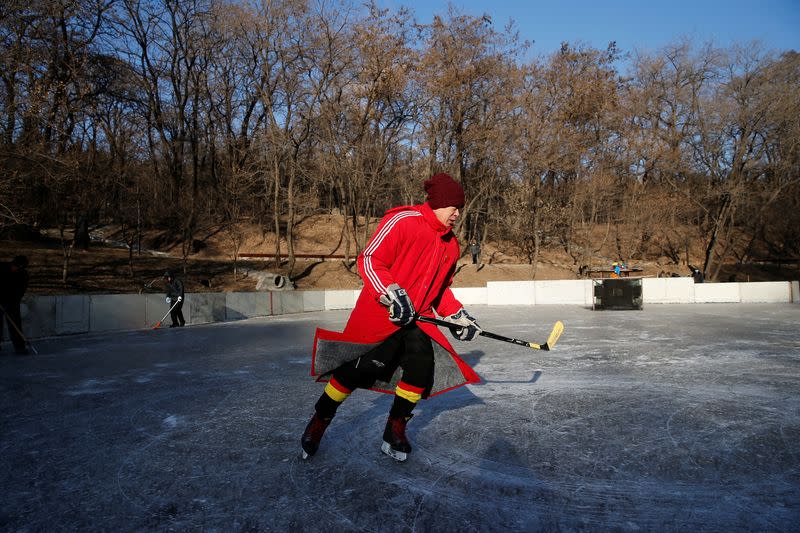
633 24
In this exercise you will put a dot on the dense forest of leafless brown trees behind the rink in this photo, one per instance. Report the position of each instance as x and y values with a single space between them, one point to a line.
188 115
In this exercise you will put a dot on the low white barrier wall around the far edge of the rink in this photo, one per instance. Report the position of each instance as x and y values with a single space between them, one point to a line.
45 316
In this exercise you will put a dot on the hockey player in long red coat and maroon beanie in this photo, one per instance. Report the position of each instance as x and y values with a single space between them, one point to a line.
407 268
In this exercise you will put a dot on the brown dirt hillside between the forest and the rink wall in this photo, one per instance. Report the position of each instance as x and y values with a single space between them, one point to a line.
107 266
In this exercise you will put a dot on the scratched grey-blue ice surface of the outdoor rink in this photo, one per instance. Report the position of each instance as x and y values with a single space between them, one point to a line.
674 418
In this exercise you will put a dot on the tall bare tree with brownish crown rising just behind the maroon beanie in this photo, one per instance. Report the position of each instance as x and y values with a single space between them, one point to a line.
467 84
